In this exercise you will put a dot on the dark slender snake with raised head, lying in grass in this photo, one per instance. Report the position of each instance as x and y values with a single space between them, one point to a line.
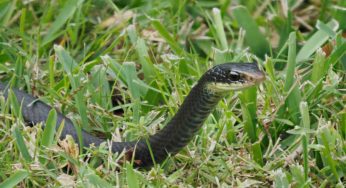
215 84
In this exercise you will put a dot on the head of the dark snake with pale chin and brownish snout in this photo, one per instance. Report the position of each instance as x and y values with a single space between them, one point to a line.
233 76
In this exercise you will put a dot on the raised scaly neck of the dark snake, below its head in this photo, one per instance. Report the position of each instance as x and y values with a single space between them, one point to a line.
183 126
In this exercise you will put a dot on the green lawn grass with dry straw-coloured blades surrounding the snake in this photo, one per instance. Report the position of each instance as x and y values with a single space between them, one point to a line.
121 69
